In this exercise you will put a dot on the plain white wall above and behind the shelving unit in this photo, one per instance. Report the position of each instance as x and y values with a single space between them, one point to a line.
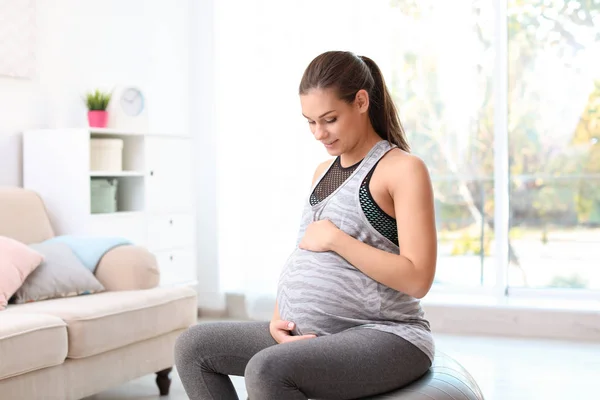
81 45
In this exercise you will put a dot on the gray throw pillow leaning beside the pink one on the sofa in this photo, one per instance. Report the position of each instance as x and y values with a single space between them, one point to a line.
61 274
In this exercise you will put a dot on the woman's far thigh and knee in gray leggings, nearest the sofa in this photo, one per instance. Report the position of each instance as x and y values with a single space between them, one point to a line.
223 347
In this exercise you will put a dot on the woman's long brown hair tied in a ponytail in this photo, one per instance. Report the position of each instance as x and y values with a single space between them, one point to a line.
347 74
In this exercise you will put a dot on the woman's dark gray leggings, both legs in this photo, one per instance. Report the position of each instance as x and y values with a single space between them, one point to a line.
346 365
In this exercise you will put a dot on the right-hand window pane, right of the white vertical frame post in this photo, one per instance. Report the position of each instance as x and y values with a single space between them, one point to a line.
554 143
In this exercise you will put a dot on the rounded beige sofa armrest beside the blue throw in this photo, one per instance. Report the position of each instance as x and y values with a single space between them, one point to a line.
128 268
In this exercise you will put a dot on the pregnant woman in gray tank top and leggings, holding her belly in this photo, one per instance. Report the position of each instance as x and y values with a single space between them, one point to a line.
347 321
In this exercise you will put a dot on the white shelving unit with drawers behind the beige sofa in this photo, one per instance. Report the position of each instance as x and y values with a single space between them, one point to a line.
155 204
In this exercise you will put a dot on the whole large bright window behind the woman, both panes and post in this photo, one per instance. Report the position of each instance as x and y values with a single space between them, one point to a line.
446 86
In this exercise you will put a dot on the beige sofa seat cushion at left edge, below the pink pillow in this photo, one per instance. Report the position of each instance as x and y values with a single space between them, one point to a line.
30 341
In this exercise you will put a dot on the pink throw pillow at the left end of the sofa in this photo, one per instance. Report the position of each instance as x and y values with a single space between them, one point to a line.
17 261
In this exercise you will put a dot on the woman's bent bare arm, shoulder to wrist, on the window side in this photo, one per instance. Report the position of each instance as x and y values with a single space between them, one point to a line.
413 270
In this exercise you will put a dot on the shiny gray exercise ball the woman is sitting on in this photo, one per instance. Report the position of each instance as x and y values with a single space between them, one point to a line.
445 380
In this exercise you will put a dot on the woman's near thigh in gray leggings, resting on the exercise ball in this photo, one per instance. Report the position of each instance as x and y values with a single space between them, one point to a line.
347 365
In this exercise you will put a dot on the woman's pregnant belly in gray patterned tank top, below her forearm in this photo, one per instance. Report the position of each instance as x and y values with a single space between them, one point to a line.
323 294
